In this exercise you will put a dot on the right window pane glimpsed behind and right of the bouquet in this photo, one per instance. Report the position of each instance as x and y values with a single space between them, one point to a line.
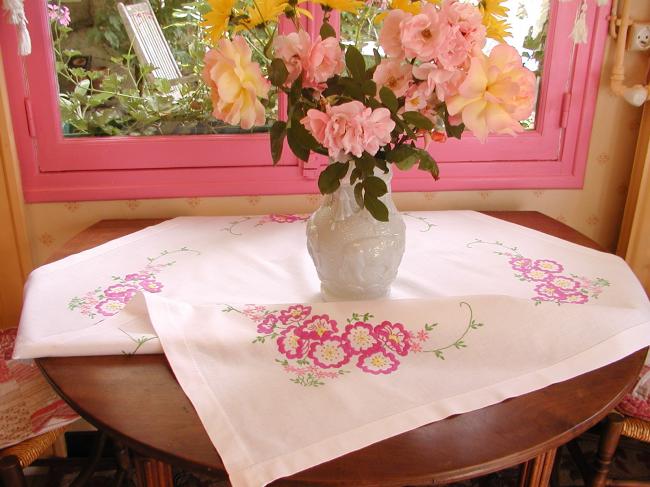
528 23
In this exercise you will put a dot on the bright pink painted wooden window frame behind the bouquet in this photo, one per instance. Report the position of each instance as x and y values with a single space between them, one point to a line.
57 169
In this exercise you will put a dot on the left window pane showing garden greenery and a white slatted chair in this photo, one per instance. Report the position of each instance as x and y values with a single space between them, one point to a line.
110 85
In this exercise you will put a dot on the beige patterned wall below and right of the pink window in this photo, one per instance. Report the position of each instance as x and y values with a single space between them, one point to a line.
596 210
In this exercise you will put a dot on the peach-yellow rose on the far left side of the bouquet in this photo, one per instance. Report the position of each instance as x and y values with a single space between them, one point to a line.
236 83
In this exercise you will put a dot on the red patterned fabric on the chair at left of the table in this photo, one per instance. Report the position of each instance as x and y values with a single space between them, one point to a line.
28 405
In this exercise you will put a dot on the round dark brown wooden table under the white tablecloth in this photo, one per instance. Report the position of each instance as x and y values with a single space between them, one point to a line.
137 400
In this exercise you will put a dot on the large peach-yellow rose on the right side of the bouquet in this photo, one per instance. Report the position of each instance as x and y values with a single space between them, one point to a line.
497 93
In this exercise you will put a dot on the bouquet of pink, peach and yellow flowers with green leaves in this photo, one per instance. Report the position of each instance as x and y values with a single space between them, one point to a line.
428 79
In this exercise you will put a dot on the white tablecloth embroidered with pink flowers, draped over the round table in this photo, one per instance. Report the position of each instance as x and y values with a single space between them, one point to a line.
482 310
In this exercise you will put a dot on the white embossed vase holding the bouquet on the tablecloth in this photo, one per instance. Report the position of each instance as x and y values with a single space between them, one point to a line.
356 256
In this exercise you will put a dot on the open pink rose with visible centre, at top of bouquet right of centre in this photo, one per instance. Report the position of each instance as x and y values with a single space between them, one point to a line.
419 33
